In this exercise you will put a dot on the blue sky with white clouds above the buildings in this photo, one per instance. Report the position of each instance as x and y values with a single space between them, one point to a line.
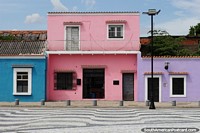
176 16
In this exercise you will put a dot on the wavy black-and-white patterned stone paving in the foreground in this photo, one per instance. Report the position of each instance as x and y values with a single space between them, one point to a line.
90 120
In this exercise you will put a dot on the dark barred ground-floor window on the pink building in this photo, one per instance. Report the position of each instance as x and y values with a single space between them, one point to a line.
65 80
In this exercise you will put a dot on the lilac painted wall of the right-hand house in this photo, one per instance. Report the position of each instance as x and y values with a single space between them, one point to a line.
189 65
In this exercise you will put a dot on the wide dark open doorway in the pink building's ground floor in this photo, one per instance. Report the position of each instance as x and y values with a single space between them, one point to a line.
93 83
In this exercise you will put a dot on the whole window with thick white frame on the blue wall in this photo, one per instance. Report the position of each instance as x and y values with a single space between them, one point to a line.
22 78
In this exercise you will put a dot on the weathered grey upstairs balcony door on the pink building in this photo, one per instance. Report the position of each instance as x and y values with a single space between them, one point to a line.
72 38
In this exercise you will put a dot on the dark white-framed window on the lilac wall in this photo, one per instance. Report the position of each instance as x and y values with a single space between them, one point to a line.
178 86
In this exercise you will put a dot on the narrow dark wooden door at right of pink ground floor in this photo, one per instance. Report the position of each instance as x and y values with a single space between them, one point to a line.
128 86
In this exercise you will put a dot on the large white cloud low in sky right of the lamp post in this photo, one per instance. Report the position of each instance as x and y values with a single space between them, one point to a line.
179 26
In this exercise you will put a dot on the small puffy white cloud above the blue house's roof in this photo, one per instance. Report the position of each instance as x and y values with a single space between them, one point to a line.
34 18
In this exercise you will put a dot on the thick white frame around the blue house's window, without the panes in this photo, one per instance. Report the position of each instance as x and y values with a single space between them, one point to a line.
15 70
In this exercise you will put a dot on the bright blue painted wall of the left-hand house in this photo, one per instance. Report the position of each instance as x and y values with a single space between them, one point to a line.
38 79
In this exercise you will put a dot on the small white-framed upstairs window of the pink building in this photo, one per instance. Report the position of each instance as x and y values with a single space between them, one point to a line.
115 31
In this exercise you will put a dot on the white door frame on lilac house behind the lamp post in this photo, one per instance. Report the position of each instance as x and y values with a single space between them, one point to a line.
160 86
